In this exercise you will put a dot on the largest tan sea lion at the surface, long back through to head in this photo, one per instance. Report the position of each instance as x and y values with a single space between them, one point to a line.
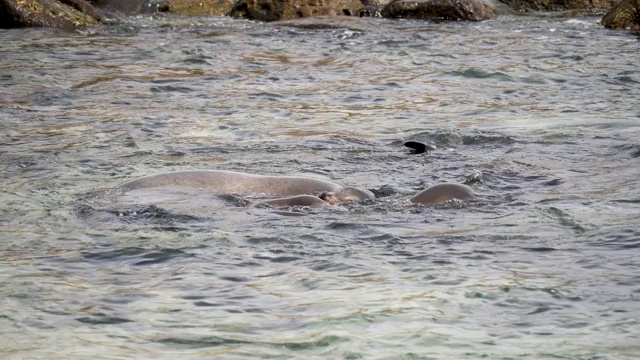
294 190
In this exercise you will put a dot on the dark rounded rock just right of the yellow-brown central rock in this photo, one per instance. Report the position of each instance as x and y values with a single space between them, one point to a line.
470 10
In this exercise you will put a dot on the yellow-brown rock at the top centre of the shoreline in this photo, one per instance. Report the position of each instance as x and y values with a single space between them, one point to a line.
274 10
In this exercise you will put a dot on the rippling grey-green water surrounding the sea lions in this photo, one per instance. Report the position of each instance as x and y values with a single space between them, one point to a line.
543 265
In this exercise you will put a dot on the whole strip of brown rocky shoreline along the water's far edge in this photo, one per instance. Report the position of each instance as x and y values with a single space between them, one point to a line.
71 14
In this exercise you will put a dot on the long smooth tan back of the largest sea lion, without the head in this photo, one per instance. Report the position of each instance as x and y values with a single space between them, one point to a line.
232 182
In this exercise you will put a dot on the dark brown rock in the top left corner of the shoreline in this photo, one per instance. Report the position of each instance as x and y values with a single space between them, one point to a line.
67 14
